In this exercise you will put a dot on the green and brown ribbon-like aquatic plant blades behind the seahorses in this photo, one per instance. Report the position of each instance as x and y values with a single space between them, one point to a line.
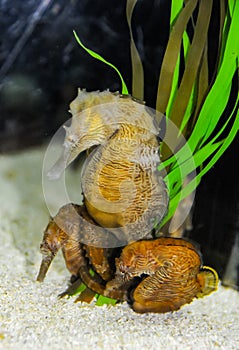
200 107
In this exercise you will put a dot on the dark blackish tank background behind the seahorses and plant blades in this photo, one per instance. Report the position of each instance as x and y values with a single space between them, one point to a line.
41 67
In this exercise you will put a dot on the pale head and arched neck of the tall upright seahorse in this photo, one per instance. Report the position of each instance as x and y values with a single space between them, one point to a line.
95 117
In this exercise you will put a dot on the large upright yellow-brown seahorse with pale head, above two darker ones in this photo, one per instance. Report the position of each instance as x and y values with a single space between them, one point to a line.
122 188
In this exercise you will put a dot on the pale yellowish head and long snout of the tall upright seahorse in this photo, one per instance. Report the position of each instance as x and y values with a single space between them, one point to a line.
91 125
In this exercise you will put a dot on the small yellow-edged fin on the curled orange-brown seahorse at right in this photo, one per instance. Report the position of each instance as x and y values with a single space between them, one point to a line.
208 280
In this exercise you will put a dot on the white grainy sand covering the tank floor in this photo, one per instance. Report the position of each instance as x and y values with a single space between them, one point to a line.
31 316
